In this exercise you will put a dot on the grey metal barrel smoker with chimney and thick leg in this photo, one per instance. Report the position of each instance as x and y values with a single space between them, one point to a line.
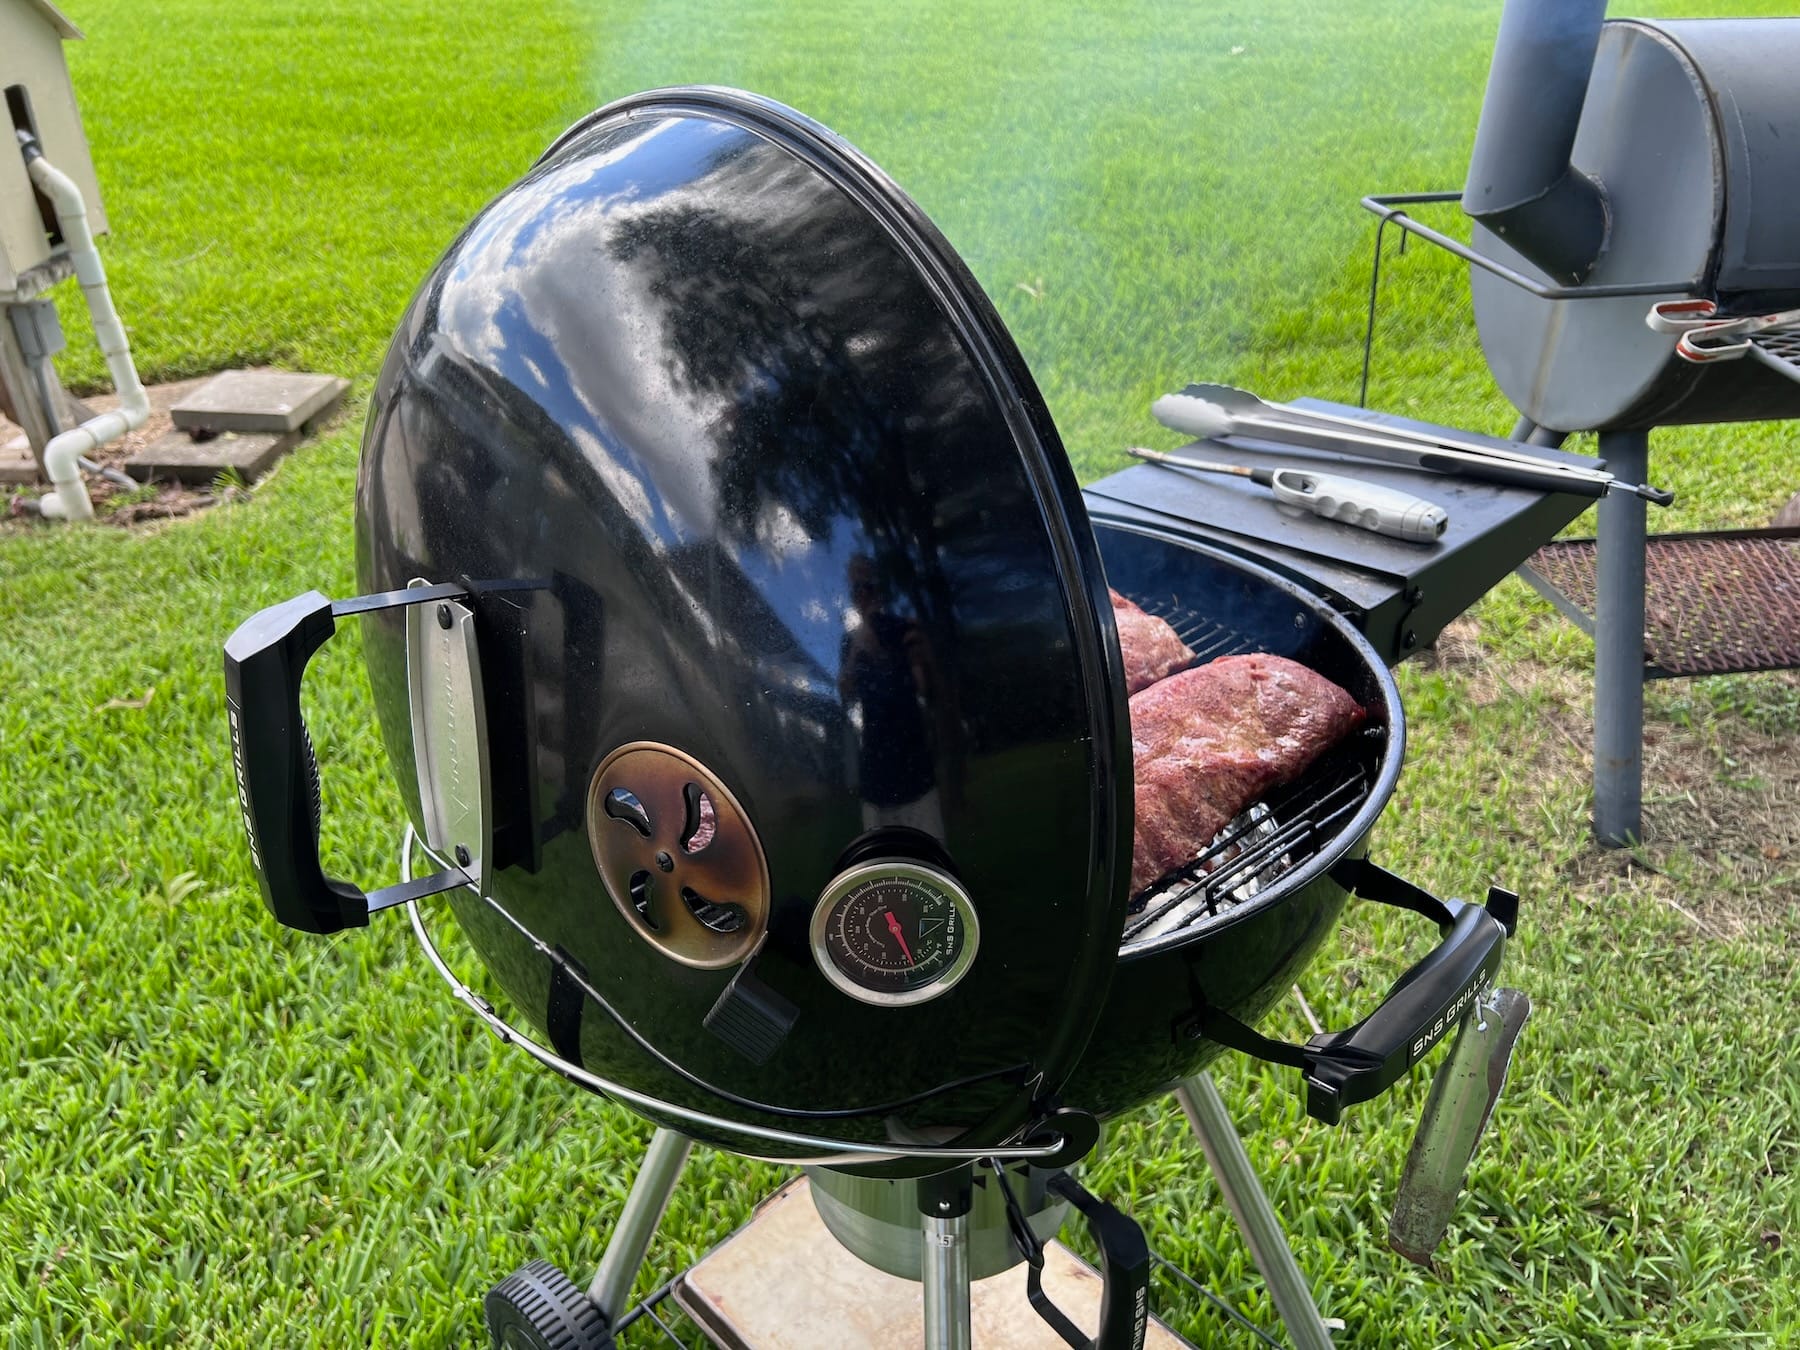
1621 166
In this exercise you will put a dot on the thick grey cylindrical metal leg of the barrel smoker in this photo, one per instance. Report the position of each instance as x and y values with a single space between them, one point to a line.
1619 647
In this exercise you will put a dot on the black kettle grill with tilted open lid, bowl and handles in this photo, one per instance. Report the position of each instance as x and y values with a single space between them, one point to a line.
742 649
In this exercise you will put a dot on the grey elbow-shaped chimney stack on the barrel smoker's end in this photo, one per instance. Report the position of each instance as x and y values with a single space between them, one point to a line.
1522 184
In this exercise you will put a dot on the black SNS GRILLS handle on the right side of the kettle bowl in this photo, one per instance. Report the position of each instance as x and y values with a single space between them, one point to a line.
1419 1011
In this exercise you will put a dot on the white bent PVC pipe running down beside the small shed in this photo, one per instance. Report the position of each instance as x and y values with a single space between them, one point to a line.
69 494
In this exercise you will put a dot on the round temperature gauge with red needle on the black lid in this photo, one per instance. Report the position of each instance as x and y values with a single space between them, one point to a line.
894 933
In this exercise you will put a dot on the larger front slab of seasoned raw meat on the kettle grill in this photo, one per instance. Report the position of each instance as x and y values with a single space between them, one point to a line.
1210 742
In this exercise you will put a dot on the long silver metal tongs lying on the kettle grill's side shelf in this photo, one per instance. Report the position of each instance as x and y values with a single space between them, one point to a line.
1209 411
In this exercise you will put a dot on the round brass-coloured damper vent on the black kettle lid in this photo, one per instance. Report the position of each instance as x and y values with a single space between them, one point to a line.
678 854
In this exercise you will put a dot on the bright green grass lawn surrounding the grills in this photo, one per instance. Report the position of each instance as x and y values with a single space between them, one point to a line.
215 1133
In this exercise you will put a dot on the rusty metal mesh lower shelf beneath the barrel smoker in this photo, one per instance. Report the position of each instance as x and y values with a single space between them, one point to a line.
1716 604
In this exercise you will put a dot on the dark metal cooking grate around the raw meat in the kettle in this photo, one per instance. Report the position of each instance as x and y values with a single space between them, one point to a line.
1263 843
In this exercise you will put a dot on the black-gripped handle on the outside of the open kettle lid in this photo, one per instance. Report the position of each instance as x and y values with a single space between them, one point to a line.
278 777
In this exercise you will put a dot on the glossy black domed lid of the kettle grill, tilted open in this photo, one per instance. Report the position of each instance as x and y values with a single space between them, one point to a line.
800 514
